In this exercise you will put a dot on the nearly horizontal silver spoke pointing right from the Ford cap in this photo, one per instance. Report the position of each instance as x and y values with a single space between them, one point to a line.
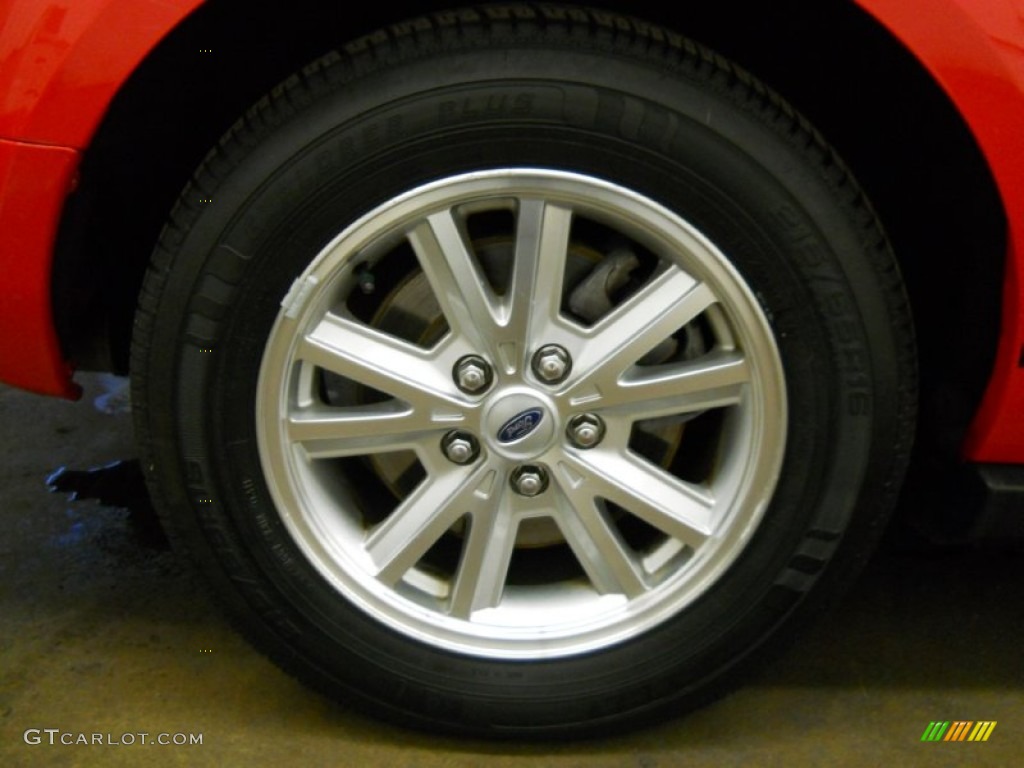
716 380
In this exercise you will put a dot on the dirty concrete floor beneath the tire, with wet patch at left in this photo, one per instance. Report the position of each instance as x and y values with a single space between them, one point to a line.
105 631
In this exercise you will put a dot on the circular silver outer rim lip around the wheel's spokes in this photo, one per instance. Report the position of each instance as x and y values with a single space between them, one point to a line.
602 622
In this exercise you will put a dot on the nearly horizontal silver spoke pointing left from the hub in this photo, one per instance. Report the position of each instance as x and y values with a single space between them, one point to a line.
333 433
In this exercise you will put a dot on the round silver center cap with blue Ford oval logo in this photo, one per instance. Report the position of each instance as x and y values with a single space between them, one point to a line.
520 424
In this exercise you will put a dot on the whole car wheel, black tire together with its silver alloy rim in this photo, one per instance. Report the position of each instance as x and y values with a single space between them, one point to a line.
673 163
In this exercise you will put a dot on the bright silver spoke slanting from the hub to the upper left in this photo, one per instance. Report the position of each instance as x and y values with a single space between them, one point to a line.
379 361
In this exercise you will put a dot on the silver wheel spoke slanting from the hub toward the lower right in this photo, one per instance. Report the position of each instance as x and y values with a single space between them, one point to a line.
678 509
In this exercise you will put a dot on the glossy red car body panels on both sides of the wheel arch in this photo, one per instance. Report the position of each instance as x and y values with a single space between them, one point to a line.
63 63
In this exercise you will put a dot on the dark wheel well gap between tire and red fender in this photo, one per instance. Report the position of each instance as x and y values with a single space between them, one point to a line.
871 99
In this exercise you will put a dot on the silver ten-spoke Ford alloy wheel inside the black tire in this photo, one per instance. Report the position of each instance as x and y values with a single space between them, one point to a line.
641 532
